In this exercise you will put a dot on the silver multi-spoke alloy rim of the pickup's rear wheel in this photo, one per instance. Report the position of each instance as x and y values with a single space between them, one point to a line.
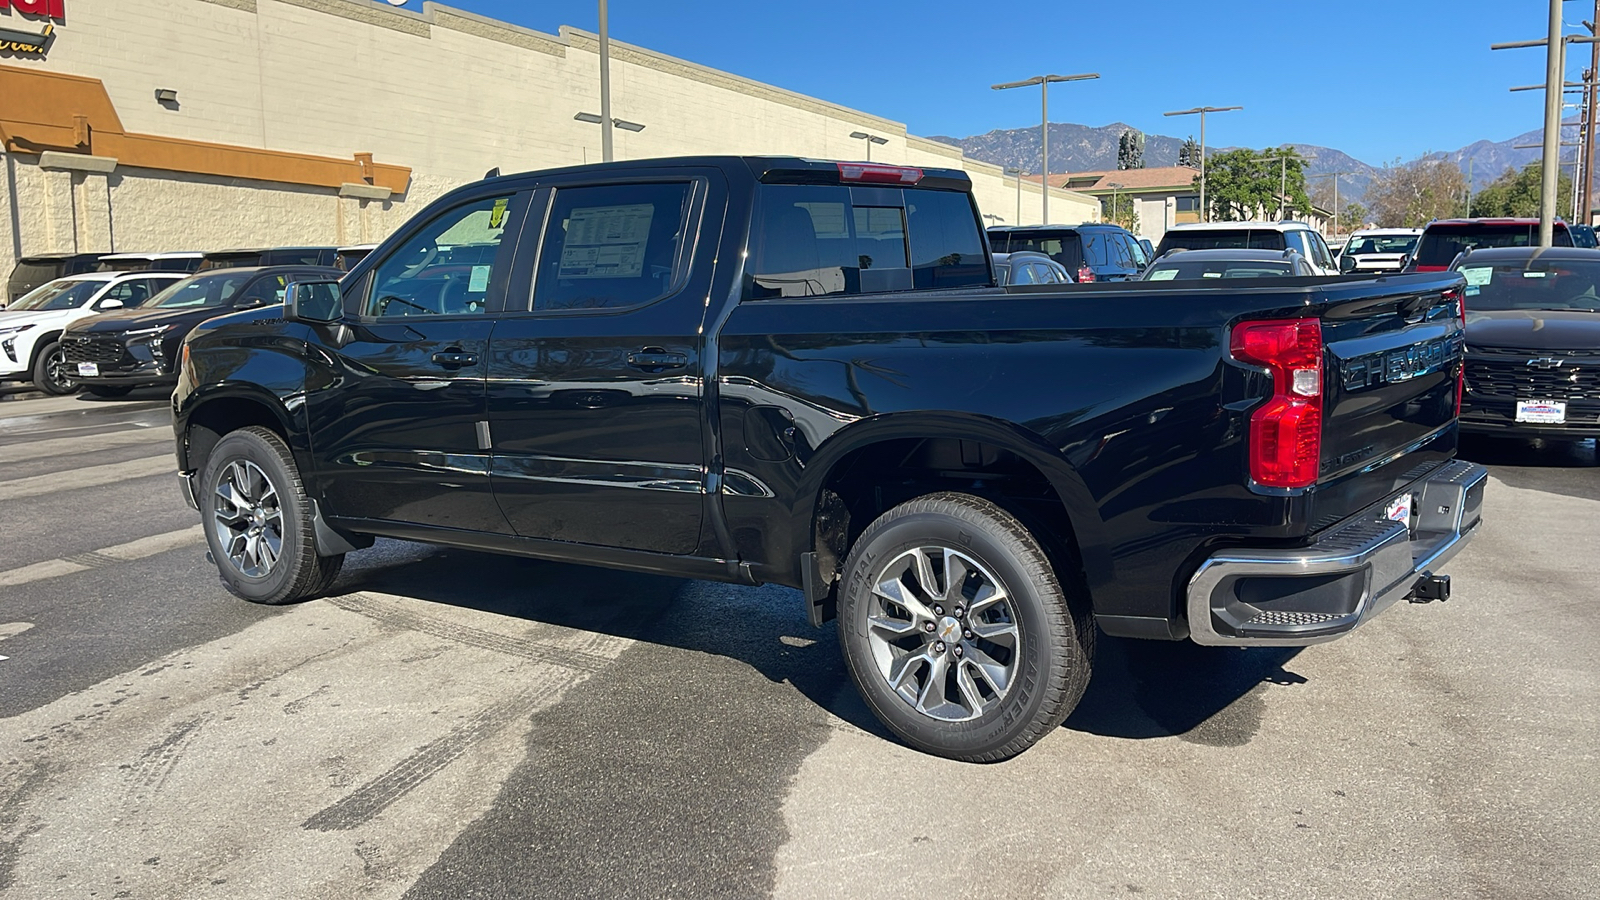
943 633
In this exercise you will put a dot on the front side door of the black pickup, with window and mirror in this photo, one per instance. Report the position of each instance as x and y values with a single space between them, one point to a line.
398 433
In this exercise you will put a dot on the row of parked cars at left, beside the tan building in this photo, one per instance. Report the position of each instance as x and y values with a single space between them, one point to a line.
119 321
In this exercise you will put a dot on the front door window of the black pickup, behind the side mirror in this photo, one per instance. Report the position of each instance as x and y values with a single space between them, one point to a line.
444 270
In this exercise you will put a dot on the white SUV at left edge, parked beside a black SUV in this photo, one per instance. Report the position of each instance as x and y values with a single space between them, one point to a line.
30 329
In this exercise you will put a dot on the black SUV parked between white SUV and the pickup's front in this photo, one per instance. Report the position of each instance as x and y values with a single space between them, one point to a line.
135 348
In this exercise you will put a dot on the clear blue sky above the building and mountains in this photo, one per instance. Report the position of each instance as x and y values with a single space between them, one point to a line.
1380 82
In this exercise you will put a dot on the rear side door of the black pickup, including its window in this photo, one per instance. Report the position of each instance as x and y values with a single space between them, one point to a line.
596 377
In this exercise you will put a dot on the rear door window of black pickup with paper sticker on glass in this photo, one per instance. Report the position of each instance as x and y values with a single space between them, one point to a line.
614 246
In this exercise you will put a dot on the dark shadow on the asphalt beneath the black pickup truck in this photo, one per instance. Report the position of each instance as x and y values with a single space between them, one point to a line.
1142 689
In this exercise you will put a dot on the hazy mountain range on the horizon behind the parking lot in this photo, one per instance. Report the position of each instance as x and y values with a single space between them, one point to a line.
1087 148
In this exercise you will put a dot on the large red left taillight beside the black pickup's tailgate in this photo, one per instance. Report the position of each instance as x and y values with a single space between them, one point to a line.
1286 433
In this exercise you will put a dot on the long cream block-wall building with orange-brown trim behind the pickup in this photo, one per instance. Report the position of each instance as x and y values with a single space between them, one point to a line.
145 126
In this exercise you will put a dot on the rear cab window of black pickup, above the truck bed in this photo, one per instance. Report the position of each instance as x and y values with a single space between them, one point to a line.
817 241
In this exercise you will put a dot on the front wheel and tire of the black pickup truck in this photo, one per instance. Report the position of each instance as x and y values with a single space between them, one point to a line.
297 573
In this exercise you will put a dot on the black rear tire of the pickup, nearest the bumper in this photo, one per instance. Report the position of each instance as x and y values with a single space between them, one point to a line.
1054 635
